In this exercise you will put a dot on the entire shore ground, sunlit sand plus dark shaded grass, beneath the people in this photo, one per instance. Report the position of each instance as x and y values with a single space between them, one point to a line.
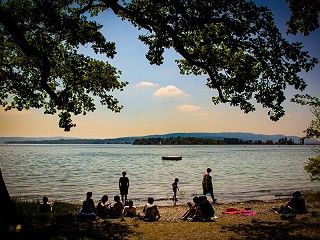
266 224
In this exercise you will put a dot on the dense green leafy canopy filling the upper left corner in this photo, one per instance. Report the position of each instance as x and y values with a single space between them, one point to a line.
40 64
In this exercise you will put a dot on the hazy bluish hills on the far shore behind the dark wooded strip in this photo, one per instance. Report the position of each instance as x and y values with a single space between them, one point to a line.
128 140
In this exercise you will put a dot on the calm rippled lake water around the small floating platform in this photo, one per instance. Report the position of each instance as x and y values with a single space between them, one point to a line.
67 172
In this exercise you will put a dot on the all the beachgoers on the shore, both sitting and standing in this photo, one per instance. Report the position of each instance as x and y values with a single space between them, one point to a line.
200 210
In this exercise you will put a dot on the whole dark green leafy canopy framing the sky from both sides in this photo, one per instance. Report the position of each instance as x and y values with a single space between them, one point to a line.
234 43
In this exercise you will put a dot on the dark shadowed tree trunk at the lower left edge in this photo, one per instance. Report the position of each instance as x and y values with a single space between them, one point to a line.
8 211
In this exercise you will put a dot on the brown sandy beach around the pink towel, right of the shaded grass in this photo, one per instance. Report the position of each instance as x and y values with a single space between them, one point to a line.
266 224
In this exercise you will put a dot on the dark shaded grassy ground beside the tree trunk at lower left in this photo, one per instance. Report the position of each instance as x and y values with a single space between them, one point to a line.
62 224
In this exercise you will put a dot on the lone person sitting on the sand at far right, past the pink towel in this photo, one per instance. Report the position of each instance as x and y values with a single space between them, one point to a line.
296 205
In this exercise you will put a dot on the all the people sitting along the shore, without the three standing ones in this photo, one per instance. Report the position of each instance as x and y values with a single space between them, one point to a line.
200 210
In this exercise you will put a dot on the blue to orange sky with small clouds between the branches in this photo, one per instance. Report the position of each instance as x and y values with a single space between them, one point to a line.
159 100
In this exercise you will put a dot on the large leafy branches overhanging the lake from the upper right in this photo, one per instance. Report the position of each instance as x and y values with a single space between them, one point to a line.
235 43
